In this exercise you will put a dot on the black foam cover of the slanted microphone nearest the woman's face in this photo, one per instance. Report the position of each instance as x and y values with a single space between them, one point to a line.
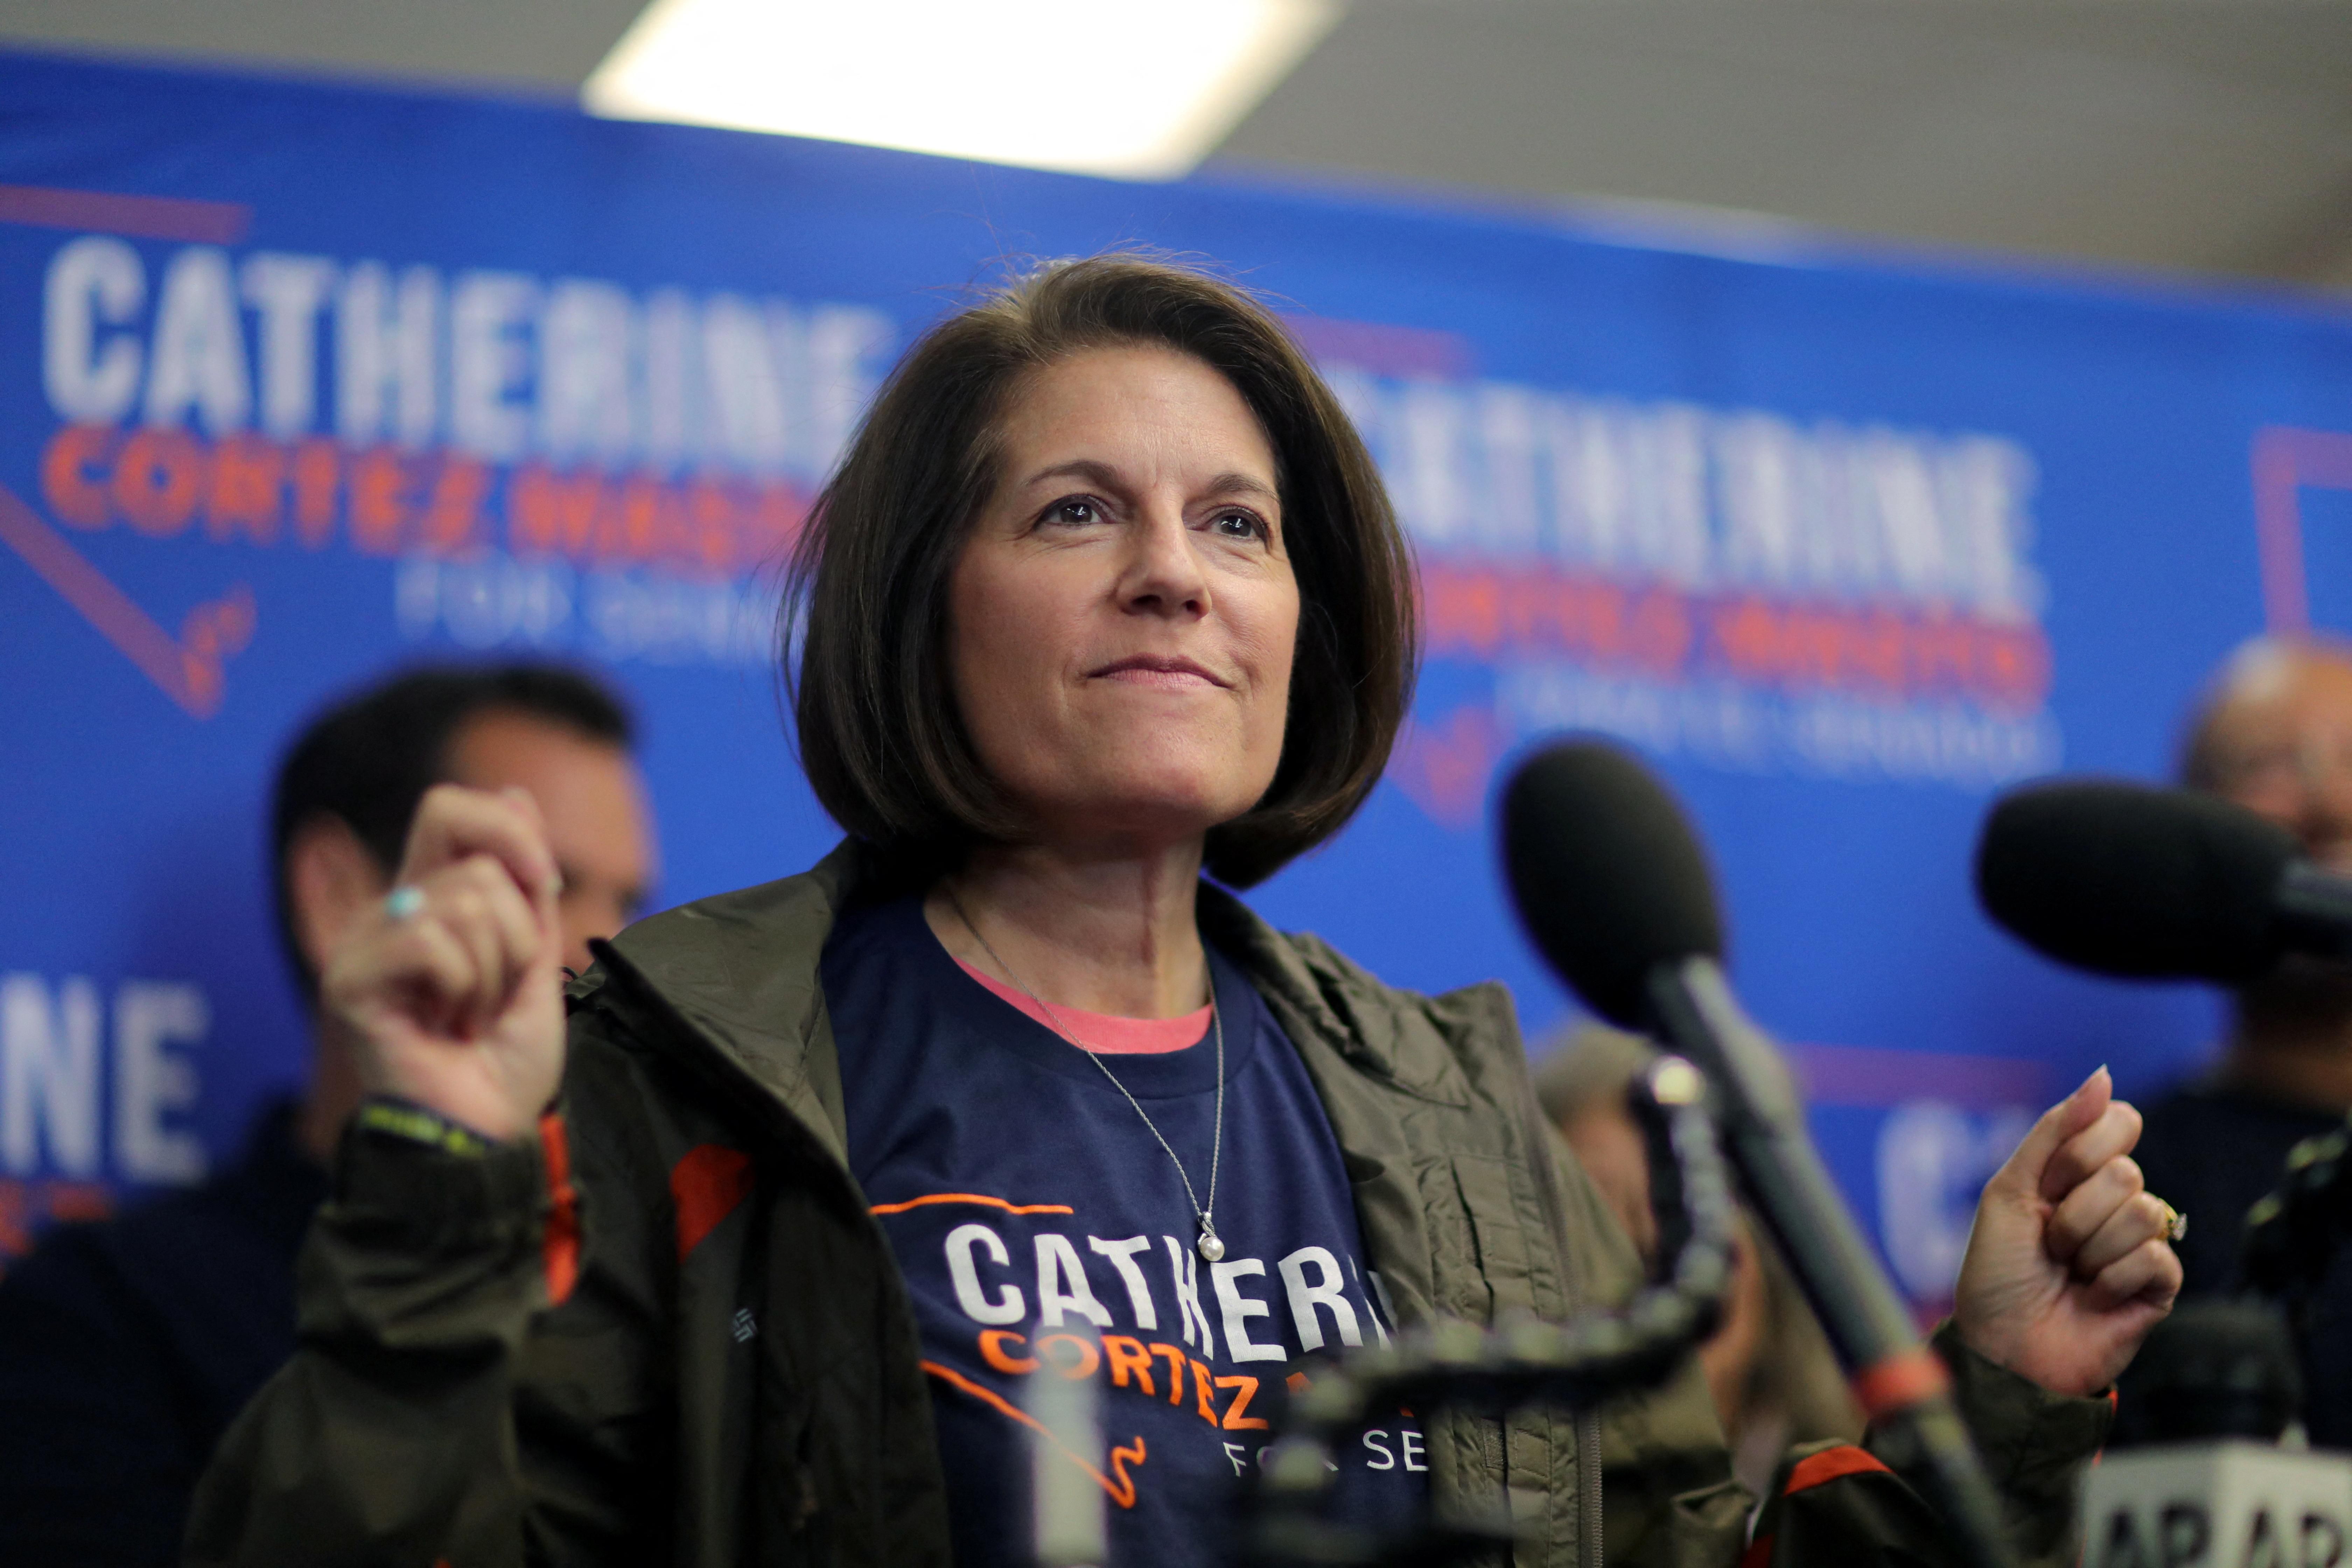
1608 873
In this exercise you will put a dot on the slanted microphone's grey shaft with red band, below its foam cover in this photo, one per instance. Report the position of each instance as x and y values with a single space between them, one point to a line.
1899 1381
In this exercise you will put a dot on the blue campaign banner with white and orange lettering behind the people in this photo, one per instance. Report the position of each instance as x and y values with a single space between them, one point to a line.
300 382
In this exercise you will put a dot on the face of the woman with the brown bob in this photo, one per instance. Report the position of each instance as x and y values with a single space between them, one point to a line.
1125 610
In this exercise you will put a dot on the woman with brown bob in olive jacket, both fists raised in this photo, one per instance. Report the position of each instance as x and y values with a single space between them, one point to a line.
761 1257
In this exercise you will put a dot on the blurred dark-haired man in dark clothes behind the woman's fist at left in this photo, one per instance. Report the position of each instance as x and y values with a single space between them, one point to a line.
126 1348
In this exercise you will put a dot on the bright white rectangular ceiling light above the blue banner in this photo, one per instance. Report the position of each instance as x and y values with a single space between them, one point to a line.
1135 88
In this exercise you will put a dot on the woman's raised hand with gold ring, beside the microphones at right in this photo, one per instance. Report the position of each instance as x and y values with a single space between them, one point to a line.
2069 1264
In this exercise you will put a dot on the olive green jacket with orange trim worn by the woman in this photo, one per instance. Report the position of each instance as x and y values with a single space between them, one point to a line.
671 1329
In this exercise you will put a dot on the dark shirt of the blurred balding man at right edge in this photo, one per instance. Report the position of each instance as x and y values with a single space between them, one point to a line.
2212 1153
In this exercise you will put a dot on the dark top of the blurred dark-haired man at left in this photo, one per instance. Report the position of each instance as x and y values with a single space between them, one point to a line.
128 1348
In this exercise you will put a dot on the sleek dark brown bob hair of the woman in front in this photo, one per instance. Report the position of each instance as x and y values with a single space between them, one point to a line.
867 596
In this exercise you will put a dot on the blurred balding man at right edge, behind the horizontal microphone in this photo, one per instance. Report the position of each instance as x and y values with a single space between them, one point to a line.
2273 735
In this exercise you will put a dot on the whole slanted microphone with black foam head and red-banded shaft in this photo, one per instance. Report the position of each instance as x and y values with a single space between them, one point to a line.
1617 894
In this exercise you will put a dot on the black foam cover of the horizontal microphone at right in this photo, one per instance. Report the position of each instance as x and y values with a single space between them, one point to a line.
2137 883
